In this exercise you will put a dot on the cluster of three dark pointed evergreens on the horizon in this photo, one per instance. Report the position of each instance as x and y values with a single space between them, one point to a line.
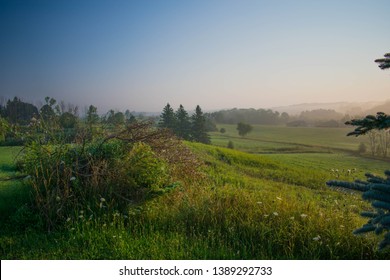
192 128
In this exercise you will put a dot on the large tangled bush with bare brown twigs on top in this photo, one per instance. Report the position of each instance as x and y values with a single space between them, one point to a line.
118 169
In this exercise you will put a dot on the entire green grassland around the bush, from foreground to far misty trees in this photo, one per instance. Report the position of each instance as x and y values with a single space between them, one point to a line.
265 199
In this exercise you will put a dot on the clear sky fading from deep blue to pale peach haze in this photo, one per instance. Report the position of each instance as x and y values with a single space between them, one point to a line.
141 55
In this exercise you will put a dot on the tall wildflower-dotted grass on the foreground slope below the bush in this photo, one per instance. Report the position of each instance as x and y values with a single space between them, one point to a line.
233 213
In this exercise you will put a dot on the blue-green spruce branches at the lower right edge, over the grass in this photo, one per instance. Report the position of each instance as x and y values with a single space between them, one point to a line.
376 190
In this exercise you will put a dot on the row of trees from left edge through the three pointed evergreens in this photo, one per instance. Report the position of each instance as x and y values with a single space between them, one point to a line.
18 118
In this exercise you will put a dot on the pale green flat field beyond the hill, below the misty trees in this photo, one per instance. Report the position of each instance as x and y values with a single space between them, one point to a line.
282 139
